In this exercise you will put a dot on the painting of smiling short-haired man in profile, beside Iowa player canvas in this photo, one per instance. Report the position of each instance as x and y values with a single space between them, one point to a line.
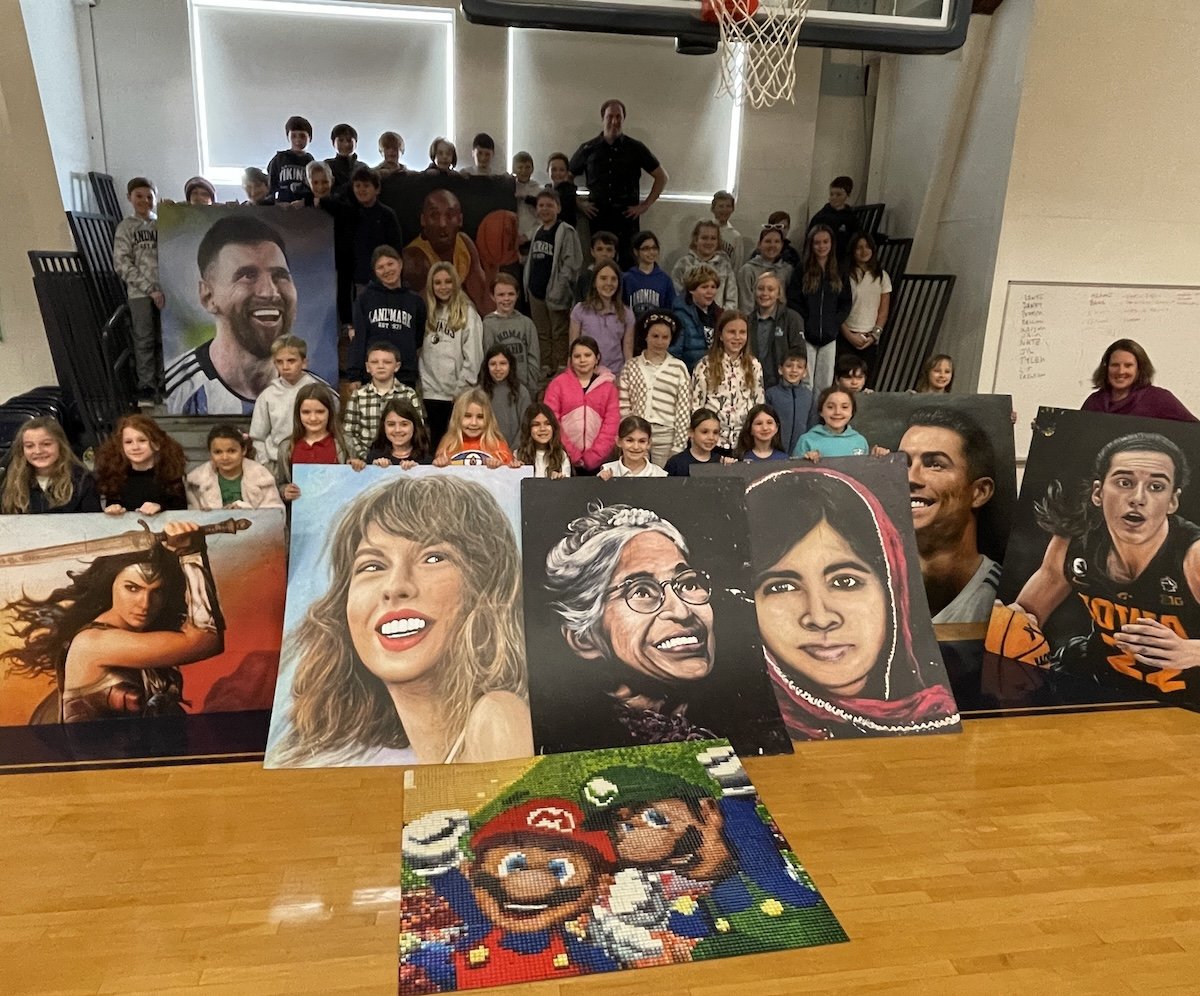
963 488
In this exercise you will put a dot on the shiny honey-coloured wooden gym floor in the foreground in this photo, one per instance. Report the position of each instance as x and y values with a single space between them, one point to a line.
1031 854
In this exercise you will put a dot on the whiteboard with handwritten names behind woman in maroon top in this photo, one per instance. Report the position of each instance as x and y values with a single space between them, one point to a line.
1055 334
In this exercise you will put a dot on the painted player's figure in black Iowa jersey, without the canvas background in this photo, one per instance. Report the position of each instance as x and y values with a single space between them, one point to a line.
1121 549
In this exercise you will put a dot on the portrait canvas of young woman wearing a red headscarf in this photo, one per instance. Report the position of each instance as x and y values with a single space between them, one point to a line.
845 631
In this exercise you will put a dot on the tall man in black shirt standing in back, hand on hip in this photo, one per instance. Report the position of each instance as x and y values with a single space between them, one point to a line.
613 164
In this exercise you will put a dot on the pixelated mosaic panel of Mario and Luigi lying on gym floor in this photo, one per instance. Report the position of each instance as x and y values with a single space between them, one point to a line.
596 862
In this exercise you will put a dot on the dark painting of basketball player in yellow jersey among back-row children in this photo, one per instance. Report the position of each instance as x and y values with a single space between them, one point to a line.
441 215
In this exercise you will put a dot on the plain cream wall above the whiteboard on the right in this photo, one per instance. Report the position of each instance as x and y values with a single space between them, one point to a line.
1105 163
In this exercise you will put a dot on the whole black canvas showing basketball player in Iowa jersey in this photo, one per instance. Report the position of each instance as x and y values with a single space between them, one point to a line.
1123 541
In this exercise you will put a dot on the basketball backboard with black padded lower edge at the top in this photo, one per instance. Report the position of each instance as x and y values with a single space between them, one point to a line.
880 26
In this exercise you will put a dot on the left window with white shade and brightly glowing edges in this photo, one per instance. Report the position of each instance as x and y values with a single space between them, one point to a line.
377 67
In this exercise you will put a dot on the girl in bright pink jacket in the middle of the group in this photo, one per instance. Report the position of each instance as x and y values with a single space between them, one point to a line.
584 398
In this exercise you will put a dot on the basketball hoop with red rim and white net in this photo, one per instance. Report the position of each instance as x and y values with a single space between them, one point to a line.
758 47
